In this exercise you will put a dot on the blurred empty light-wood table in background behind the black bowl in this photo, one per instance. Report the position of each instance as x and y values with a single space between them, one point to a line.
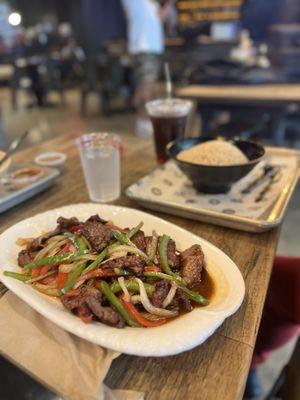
272 98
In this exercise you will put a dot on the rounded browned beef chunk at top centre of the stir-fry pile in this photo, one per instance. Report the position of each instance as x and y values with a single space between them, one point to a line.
97 234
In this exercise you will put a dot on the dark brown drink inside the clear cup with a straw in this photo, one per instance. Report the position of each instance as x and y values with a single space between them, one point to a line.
166 129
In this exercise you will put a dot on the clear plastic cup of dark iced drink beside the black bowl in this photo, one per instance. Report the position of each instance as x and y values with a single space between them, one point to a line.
169 119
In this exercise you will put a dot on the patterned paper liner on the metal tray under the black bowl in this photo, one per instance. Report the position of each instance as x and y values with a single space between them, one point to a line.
168 184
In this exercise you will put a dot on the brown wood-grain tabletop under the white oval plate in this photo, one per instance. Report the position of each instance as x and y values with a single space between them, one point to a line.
218 368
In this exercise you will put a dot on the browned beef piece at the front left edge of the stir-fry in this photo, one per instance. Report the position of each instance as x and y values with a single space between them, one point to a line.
91 298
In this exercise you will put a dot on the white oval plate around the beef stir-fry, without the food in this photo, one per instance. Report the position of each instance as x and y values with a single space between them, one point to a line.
177 336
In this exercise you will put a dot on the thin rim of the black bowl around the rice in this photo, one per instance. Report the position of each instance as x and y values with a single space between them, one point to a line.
255 161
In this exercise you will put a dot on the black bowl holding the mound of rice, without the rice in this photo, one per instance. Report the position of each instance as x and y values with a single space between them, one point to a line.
215 179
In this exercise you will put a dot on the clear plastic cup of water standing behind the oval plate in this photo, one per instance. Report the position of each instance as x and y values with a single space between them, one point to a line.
100 159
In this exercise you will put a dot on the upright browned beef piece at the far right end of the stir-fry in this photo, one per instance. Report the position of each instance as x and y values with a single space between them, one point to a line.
192 262
